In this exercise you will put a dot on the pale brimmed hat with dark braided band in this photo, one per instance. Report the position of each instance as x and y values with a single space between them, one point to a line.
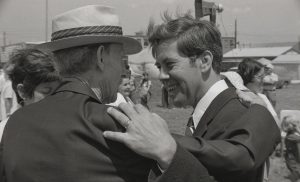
88 25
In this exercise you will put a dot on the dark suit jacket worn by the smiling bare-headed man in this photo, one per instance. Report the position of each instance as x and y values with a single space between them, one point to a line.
232 141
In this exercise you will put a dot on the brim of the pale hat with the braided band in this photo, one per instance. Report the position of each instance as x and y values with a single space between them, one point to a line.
131 46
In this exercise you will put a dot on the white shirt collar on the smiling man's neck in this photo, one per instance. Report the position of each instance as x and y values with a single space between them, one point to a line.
206 100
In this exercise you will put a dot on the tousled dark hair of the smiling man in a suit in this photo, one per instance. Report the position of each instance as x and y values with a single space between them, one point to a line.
193 37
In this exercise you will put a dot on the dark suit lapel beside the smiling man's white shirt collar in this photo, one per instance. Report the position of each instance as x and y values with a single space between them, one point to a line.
217 104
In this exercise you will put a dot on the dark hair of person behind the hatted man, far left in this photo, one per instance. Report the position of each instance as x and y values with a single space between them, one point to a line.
30 67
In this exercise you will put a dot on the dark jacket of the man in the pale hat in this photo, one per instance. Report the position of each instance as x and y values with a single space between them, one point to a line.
59 139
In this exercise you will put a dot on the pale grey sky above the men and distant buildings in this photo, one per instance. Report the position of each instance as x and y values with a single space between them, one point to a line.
259 21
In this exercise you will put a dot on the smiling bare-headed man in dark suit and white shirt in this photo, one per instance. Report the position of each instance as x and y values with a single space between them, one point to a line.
231 140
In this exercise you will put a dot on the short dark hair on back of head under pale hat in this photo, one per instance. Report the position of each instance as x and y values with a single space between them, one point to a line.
76 60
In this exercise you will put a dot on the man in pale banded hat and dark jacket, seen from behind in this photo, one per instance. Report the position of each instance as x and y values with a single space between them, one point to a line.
59 139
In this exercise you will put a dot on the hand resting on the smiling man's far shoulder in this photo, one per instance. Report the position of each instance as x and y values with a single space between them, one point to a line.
249 98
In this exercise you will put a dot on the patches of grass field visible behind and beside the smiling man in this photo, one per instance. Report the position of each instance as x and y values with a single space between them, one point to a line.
287 98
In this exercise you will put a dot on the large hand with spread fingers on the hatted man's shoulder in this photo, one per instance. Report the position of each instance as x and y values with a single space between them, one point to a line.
146 133
